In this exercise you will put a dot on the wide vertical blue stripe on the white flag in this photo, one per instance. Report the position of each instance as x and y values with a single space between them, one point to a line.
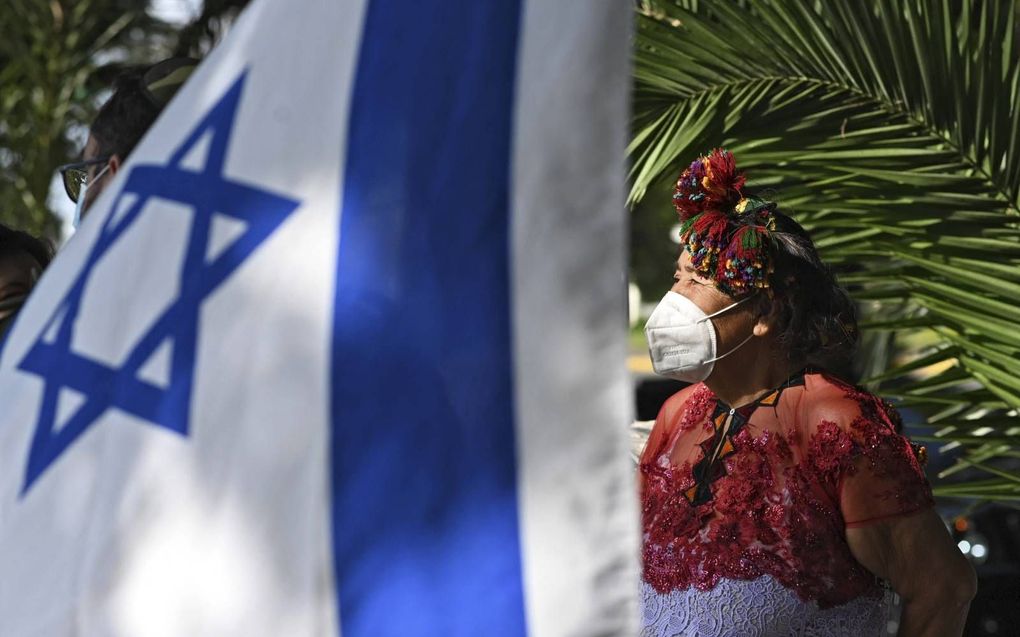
425 511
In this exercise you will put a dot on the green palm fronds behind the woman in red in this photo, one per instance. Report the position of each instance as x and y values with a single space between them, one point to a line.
890 130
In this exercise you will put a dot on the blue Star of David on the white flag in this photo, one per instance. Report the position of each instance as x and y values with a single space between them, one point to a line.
208 192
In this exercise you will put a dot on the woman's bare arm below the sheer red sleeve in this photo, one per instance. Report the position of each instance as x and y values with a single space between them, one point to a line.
916 555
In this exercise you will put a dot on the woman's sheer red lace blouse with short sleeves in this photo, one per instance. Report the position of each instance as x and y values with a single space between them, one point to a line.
771 488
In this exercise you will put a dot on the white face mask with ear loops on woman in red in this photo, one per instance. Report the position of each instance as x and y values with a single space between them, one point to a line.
682 339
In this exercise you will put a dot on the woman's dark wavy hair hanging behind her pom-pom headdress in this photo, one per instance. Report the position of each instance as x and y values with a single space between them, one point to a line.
815 318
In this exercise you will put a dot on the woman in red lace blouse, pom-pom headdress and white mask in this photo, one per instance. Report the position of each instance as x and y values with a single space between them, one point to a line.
777 498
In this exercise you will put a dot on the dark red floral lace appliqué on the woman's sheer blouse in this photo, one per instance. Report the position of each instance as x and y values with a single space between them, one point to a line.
783 507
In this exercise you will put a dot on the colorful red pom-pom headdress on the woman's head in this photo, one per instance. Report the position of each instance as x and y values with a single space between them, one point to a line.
728 234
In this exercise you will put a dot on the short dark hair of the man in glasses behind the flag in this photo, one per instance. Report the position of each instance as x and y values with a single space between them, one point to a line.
126 118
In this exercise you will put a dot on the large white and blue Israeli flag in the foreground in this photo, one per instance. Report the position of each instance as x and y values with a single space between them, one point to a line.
341 350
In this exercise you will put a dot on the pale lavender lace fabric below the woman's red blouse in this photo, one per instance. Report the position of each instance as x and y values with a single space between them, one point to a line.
761 608
